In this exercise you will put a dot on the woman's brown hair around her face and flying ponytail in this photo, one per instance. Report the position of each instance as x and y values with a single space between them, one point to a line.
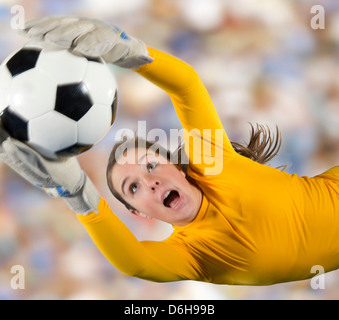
262 147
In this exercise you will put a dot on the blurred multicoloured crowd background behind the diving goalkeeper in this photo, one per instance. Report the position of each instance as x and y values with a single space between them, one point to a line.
261 61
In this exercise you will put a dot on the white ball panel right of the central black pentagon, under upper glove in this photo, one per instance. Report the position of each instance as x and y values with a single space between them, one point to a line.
100 82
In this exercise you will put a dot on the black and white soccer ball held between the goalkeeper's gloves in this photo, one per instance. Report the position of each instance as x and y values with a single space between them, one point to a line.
58 103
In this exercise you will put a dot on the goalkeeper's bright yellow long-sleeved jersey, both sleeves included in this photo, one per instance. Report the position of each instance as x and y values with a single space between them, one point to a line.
256 225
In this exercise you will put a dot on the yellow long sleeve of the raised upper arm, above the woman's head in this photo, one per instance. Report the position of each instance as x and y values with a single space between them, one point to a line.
206 143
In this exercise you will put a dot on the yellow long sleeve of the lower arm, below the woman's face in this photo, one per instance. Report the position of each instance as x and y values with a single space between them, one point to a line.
151 260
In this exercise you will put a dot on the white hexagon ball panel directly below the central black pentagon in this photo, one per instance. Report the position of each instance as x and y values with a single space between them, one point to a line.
52 132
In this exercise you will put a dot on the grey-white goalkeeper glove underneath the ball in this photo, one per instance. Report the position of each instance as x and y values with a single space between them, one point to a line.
58 178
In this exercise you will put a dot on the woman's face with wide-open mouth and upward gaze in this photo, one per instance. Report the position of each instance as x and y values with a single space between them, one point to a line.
156 188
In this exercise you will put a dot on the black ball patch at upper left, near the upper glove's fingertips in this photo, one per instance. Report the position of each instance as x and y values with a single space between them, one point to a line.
22 61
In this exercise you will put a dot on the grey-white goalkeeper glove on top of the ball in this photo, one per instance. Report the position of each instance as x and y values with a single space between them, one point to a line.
92 38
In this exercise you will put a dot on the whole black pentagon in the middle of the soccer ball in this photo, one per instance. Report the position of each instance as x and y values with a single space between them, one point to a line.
73 100
